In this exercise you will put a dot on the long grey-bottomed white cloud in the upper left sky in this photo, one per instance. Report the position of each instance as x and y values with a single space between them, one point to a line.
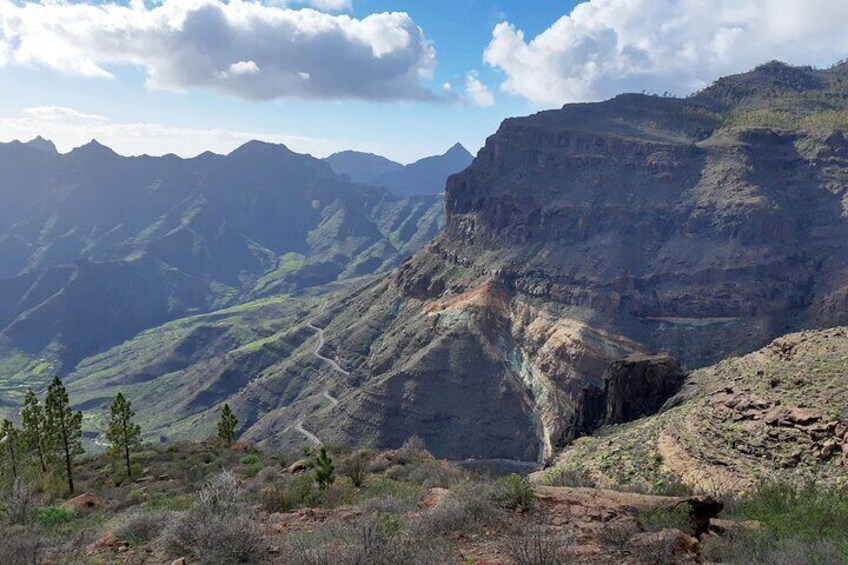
242 47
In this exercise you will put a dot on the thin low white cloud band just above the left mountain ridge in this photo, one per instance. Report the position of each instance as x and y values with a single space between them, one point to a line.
70 128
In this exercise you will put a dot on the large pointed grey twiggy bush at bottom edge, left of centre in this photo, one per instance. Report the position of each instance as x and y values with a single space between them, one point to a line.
220 529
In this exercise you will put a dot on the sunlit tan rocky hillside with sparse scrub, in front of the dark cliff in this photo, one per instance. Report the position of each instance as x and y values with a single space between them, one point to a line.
780 413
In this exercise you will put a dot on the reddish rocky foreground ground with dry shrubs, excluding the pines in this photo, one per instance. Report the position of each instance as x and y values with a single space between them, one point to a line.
409 508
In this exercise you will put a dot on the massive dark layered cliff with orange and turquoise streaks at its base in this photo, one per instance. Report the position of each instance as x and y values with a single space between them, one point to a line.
701 227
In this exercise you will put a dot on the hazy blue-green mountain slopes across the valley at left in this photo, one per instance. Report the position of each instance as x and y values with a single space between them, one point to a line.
95 247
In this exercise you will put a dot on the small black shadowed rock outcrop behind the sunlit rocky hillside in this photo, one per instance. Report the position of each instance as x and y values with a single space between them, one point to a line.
639 386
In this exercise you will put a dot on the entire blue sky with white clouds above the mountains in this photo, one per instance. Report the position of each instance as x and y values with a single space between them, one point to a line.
404 78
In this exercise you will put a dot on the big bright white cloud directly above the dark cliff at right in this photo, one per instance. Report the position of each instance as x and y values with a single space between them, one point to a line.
604 47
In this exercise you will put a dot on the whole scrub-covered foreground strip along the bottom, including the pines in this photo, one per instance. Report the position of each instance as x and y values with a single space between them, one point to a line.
225 502
